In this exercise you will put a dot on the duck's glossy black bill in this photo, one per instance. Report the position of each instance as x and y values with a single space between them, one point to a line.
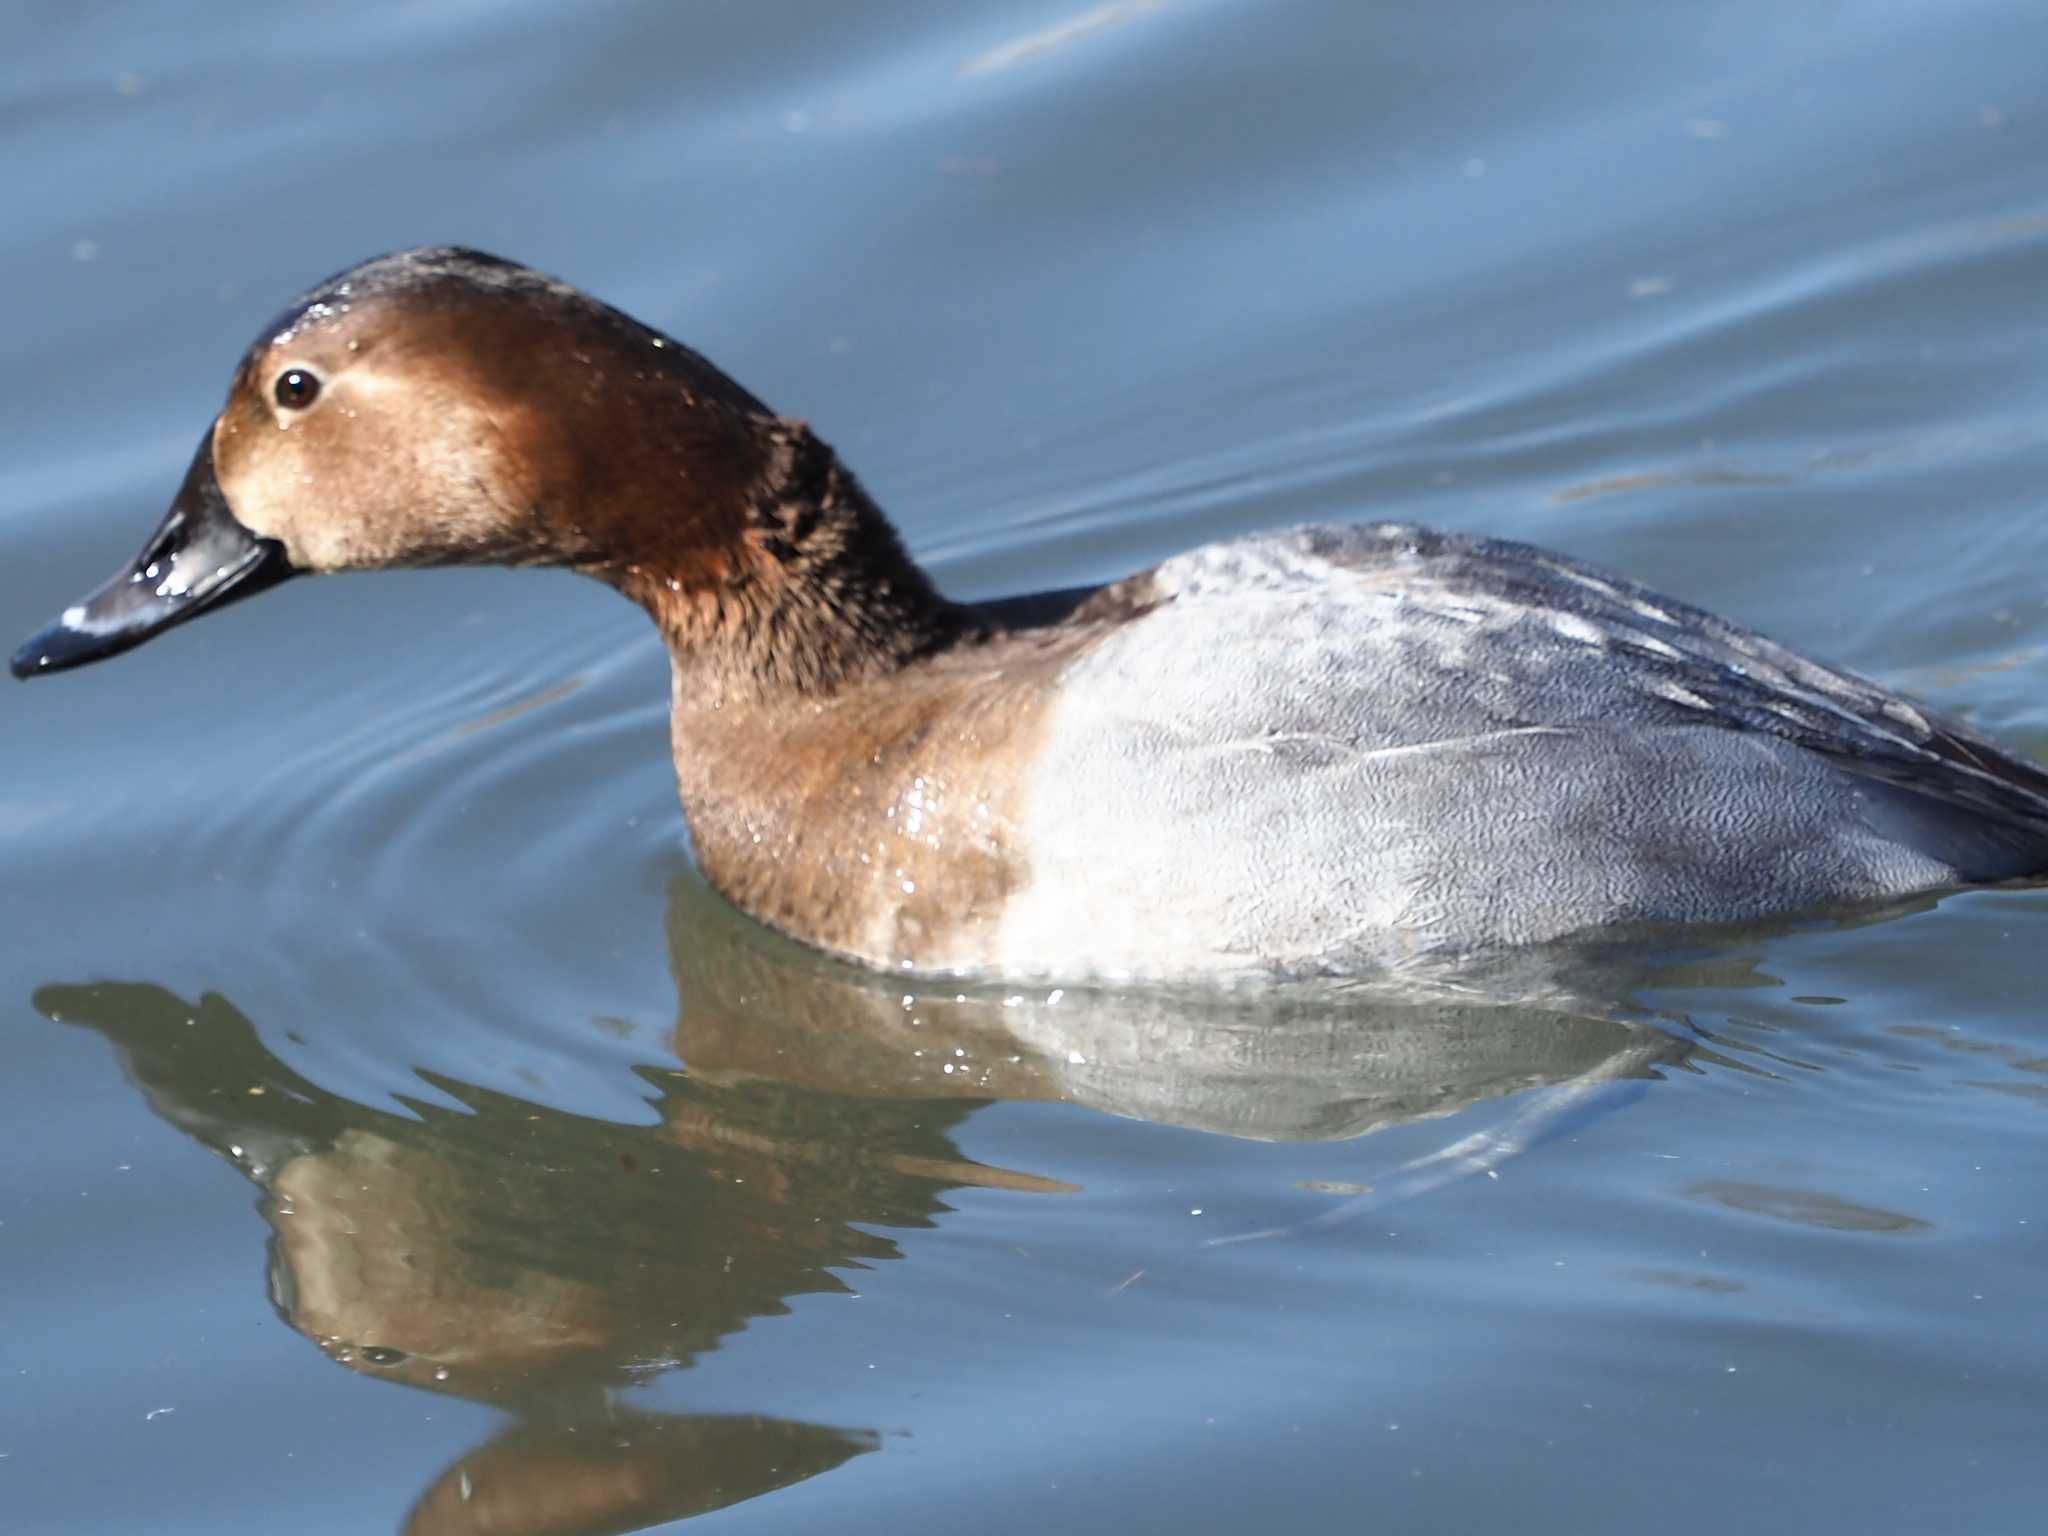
198 560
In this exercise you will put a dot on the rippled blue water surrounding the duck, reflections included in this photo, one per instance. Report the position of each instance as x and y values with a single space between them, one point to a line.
361 998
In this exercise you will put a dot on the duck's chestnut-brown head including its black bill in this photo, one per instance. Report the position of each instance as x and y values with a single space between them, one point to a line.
441 407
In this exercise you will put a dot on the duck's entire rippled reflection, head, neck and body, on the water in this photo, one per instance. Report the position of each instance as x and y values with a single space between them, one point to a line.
540 1261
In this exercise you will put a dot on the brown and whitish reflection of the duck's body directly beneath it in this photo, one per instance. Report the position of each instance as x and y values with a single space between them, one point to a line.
1310 1064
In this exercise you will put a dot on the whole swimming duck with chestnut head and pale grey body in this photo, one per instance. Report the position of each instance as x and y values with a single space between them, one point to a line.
1295 755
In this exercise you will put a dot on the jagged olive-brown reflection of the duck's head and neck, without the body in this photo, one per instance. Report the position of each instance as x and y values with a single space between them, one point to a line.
540 1261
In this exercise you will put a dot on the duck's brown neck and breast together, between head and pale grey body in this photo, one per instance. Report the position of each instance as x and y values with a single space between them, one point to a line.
814 691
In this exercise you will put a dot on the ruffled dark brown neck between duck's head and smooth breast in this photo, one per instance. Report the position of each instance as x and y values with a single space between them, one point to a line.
812 595
